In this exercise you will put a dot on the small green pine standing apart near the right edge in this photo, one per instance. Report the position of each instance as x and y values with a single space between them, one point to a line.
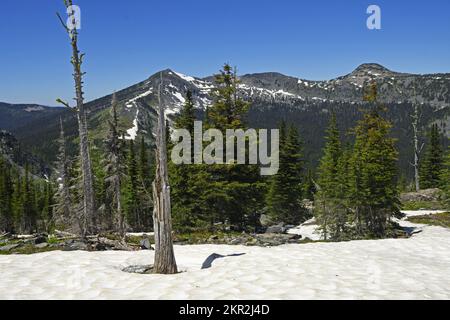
433 160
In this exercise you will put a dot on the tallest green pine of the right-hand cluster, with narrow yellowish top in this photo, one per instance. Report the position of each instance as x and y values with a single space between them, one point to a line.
373 166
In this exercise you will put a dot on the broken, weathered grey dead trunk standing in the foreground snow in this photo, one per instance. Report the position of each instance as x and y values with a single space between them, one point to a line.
164 255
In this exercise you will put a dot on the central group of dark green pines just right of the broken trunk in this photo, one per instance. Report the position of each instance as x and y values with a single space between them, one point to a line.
234 195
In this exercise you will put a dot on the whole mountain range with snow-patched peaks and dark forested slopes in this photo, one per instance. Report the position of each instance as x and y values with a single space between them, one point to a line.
273 97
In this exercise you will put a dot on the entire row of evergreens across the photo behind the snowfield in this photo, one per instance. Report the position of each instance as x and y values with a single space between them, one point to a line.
355 188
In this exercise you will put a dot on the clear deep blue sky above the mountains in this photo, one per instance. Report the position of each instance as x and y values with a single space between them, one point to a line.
127 41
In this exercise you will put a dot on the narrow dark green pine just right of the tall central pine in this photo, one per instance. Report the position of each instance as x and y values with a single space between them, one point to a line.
285 194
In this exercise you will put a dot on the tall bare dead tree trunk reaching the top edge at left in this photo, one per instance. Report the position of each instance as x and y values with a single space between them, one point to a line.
86 165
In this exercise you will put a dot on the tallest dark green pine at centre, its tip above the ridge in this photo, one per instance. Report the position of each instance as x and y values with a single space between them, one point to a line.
235 193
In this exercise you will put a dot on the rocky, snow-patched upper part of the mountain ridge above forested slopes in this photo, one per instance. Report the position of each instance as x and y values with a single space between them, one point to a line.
138 102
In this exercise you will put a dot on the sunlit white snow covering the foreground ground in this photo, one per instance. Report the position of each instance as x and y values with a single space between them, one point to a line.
415 268
